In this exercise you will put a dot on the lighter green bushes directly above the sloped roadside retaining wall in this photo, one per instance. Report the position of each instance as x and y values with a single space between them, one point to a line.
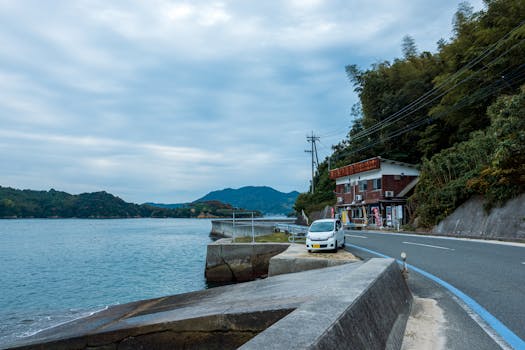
491 163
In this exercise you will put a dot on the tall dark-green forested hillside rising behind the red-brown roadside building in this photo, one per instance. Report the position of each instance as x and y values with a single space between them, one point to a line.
458 112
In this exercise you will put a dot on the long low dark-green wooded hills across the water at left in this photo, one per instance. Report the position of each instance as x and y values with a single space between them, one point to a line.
55 204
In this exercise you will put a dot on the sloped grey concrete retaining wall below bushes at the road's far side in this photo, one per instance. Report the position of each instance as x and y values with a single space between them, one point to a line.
470 220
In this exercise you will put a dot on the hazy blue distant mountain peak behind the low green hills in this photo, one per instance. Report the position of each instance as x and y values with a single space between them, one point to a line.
262 198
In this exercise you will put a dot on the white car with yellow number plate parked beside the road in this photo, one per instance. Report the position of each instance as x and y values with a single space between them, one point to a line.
325 234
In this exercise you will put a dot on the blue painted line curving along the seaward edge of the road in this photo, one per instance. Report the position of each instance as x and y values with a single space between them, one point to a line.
510 337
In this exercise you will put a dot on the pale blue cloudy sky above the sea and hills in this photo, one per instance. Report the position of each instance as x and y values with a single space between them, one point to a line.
164 101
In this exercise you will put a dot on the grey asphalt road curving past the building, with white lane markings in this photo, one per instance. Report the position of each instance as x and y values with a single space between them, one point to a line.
491 274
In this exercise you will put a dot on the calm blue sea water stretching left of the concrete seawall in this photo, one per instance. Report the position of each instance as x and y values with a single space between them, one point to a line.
54 271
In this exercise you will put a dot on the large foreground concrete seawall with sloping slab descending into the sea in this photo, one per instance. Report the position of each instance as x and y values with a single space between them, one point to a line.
363 305
